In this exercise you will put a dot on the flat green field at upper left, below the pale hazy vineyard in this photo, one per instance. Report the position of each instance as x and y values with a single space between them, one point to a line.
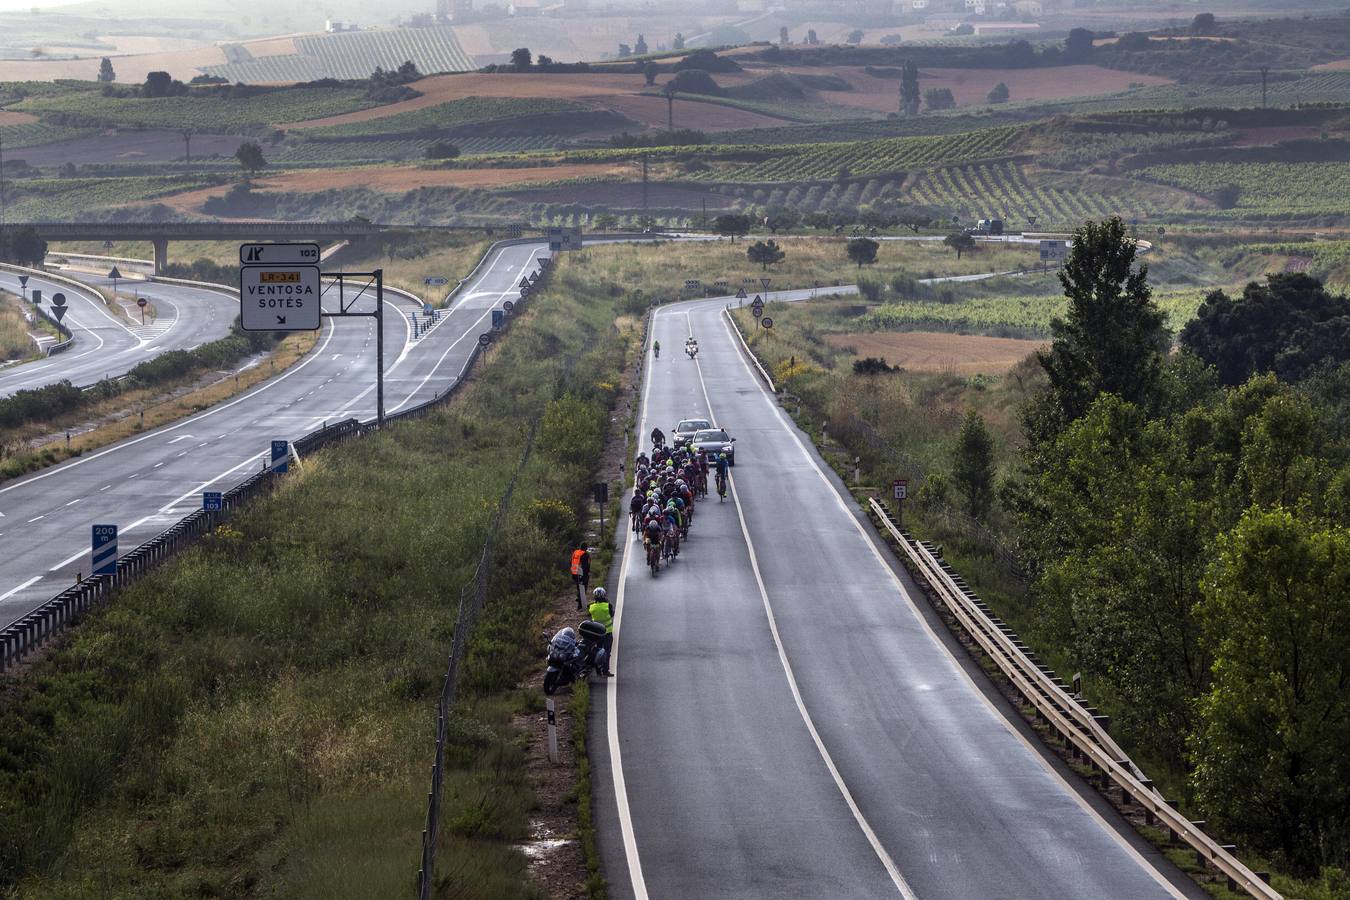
206 113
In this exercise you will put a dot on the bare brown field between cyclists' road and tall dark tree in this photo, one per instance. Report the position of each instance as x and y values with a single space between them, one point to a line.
939 351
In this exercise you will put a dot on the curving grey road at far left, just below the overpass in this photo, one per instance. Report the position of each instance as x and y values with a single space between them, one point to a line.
107 346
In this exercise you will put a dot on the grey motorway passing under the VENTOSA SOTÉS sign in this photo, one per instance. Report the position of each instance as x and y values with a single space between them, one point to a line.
149 482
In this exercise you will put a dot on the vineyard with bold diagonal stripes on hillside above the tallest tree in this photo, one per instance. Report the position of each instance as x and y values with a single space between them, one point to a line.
1004 190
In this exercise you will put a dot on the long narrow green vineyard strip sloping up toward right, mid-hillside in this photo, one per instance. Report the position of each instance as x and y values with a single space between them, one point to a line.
824 163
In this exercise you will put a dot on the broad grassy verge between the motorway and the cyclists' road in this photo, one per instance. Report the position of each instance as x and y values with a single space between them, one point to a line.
256 719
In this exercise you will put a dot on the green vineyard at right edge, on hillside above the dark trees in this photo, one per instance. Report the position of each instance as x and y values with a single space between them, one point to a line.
1268 188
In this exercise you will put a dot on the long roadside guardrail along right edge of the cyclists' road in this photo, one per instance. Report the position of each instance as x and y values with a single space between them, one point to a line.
1078 727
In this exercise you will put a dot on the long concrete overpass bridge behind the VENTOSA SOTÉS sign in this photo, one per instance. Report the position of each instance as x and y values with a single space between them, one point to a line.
160 234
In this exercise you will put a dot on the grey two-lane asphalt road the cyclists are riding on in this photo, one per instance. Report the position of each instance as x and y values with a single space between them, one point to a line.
788 723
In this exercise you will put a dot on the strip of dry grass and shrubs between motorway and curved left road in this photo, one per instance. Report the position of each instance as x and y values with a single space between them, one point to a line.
113 419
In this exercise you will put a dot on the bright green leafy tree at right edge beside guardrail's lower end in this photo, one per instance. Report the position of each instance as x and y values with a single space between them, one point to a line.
1272 752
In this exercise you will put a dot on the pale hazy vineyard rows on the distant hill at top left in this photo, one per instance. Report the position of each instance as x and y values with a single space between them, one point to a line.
356 56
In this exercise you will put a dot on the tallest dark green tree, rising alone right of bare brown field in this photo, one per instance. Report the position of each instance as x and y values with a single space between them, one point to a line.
1113 339
